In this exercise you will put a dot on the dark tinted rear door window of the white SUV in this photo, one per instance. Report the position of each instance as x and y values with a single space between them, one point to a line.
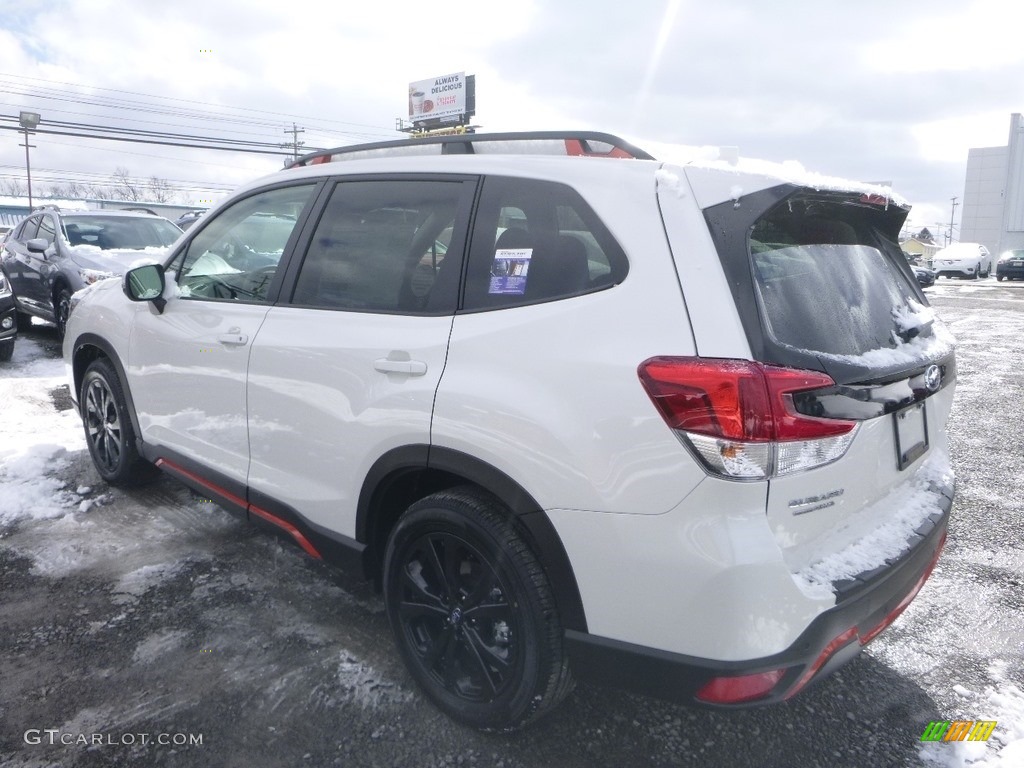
386 247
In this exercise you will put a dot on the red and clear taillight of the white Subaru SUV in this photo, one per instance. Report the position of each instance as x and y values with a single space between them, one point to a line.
739 416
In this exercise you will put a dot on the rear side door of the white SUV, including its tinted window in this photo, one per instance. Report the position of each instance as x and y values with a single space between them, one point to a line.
348 370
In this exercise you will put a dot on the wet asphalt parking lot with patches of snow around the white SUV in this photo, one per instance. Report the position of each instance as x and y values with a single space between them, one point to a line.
148 627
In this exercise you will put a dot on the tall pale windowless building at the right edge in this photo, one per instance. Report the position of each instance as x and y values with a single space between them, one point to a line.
994 195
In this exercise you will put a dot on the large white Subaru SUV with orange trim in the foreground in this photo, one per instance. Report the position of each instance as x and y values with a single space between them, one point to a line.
675 428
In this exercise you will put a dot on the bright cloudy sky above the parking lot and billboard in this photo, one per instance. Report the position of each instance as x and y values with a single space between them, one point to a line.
871 91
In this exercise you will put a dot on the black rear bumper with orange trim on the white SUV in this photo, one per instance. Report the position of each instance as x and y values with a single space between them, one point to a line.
865 607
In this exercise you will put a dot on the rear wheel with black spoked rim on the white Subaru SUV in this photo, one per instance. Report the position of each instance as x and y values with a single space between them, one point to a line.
474 613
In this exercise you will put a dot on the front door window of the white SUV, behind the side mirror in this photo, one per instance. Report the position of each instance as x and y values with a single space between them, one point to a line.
236 257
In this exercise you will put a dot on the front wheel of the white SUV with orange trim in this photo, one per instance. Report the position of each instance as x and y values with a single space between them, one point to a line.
109 431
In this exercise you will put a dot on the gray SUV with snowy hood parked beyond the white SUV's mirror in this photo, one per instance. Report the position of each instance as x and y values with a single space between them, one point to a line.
53 254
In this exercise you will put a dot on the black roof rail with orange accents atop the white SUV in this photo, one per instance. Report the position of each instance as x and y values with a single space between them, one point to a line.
584 144
